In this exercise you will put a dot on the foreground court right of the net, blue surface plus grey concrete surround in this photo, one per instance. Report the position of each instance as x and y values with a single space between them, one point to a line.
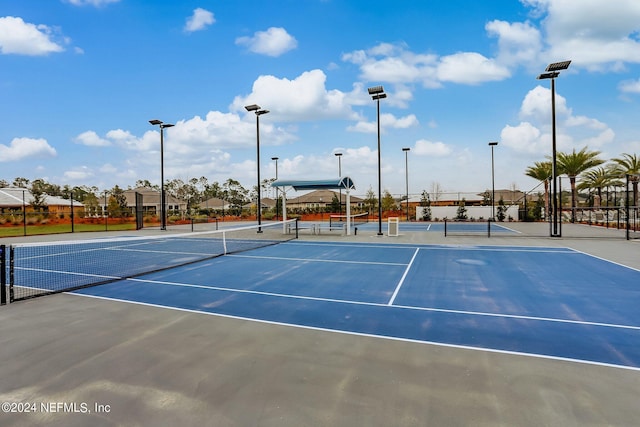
350 330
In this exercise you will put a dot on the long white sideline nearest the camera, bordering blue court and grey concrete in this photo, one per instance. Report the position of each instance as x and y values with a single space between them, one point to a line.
362 334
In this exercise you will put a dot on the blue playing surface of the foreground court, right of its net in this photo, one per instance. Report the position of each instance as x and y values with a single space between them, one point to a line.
549 302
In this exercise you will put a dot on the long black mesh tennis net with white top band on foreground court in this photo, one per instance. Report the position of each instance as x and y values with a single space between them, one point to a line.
34 269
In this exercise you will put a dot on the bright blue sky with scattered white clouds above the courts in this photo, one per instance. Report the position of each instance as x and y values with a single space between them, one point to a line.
80 79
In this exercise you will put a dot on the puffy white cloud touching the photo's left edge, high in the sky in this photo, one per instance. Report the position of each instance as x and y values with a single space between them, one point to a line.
22 38
